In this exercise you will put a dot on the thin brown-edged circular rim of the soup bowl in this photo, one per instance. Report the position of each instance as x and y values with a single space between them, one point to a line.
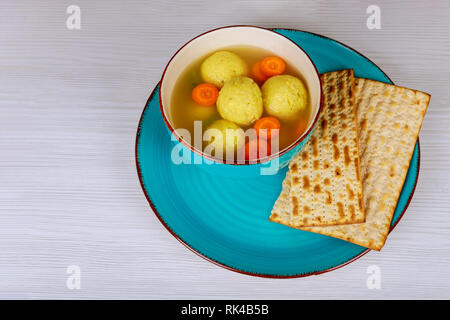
241 162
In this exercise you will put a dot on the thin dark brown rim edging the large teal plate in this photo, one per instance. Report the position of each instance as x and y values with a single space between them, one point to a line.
263 275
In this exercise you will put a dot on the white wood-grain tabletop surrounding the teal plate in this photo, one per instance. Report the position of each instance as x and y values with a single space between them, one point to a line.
70 101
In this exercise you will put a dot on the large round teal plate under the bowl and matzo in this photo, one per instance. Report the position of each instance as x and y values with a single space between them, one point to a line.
225 219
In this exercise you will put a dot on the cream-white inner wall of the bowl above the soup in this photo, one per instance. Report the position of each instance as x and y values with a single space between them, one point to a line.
233 36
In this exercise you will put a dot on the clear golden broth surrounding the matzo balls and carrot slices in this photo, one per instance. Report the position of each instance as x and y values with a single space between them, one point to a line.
184 111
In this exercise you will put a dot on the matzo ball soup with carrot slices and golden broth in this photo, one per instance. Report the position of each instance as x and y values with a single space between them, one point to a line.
242 88
